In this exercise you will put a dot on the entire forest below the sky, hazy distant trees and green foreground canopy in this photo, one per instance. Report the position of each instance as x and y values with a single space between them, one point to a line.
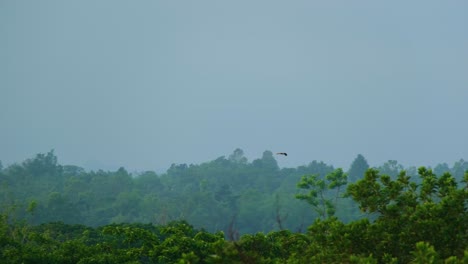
230 210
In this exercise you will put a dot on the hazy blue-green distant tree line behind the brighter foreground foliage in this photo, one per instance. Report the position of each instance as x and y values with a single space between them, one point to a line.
222 194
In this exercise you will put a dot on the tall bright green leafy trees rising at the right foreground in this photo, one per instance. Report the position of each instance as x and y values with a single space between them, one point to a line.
433 211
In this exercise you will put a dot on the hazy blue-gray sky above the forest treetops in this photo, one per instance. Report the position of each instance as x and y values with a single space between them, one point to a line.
143 84
